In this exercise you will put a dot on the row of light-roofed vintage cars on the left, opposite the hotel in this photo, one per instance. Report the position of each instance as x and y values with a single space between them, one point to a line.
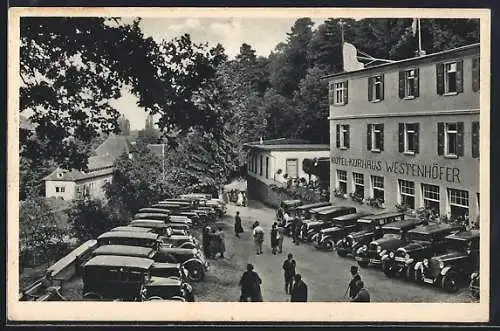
154 257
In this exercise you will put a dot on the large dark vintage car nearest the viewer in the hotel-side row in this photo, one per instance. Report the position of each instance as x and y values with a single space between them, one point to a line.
453 268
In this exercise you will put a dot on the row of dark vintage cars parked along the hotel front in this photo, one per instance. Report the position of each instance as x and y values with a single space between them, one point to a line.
441 254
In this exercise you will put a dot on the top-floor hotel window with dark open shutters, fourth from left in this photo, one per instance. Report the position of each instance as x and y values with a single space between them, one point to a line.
449 78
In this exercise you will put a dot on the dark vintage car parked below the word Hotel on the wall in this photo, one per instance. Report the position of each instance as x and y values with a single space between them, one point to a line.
342 226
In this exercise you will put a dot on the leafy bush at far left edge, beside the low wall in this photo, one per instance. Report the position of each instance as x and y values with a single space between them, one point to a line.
38 230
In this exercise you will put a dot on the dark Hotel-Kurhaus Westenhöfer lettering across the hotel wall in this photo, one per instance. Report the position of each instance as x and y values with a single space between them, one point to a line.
431 171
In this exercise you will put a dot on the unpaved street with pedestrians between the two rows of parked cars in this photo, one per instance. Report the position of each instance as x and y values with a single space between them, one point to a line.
325 273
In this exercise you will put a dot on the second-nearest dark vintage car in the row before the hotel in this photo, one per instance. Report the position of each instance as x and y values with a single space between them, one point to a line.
424 242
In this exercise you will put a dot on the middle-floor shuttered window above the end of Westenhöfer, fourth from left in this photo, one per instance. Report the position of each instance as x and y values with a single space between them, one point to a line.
451 139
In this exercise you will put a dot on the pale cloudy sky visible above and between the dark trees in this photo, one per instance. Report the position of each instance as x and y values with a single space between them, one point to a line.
263 34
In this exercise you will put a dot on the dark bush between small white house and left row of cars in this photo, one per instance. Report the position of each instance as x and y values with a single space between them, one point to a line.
91 218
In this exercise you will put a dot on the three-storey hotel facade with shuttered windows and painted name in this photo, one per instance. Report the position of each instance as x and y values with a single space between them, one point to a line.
407 132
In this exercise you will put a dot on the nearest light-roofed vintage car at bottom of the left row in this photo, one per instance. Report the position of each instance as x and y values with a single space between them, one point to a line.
126 278
